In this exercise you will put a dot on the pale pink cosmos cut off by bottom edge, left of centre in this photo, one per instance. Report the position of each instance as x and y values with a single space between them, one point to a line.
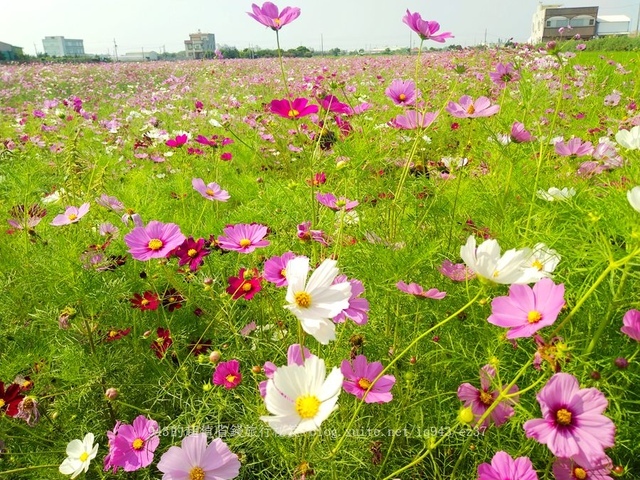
194 459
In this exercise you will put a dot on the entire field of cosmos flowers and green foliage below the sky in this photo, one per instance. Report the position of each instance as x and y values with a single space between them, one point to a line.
392 267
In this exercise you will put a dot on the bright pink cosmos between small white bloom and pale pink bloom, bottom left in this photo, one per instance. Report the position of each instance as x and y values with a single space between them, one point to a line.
132 446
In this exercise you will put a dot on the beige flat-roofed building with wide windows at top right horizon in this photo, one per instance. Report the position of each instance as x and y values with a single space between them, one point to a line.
548 20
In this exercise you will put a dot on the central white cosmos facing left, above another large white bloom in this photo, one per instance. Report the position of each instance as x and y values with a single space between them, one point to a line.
316 301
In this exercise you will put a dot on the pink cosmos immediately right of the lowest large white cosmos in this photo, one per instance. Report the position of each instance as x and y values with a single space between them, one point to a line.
361 375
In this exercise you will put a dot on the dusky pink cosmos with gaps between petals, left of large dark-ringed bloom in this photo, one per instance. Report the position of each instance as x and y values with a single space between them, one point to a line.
481 399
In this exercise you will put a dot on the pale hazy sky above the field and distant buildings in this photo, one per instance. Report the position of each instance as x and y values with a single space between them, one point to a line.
347 24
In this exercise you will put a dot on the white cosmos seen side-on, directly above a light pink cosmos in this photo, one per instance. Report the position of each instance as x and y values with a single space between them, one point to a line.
509 268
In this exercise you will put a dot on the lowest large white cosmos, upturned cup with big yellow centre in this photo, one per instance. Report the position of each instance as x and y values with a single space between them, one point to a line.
300 398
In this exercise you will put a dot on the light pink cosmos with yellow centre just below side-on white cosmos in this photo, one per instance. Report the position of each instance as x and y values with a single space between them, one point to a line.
526 310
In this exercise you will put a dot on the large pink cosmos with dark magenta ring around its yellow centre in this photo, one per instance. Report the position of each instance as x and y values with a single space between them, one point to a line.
572 423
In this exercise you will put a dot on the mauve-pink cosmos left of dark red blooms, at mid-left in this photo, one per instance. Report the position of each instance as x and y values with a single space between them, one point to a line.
156 240
